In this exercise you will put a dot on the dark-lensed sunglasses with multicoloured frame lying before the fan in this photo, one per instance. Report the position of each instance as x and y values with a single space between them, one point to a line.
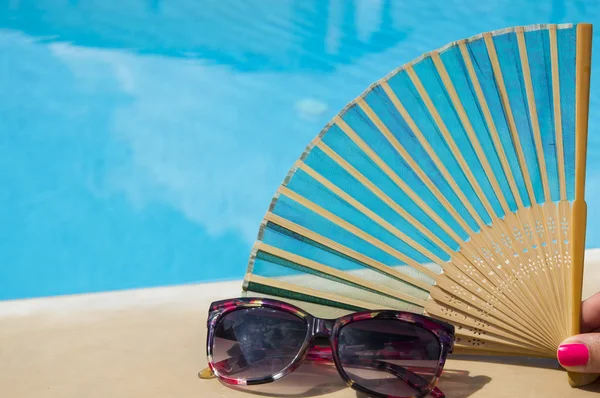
385 354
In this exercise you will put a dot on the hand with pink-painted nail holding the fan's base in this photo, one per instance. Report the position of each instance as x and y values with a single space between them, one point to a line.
581 353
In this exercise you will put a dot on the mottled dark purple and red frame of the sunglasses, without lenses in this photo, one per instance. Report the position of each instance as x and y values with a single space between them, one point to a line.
330 329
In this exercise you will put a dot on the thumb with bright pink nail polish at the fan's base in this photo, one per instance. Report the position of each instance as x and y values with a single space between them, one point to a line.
581 353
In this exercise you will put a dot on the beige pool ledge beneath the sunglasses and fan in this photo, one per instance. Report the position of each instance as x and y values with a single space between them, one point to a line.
149 343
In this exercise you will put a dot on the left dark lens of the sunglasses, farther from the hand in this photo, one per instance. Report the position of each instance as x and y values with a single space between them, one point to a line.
256 343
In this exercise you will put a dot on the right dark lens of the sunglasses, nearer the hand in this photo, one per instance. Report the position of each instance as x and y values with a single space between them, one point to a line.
389 357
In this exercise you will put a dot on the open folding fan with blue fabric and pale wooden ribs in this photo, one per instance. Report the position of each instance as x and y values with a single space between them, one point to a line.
453 187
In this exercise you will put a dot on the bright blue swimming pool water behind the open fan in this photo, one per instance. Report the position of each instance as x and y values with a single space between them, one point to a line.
141 141
